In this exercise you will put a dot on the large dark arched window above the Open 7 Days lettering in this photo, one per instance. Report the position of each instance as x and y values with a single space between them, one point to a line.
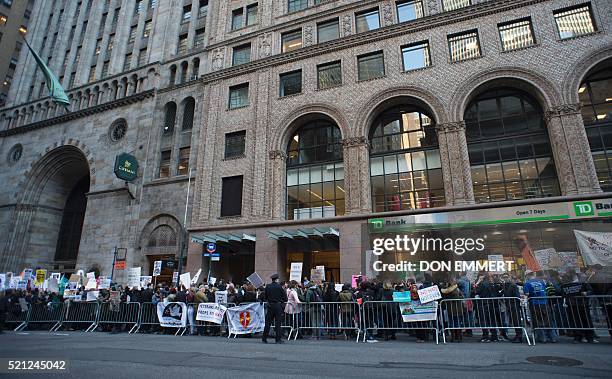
509 148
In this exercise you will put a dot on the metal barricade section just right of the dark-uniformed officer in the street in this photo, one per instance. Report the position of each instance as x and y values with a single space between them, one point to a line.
333 317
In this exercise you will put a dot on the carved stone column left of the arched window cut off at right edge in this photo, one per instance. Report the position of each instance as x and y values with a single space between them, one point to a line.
571 150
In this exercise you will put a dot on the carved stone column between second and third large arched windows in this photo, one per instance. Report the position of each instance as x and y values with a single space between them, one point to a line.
455 163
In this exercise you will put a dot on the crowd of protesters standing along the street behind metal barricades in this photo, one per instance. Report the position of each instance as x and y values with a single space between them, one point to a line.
554 303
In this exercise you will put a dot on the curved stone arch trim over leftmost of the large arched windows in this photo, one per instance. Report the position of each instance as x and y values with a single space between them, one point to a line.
283 131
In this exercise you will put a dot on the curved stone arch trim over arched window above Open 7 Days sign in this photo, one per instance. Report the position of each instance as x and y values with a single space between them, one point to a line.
531 82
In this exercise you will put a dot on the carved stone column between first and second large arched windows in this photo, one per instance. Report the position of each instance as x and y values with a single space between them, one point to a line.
357 175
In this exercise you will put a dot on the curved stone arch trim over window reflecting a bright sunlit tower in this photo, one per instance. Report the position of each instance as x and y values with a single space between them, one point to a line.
371 108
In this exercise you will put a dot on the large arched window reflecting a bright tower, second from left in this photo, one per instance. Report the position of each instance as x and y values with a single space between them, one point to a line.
405 170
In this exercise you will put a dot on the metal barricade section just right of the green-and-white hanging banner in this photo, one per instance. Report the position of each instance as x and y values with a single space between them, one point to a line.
494 315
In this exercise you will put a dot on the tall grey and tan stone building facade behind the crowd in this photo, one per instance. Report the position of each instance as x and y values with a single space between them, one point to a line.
173 103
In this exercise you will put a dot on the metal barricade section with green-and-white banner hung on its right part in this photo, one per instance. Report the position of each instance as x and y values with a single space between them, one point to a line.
386 315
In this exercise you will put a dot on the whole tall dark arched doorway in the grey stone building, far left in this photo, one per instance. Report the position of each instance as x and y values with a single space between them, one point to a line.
48 221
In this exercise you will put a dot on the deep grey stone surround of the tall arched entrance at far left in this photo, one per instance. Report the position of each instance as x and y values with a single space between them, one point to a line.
39 208
